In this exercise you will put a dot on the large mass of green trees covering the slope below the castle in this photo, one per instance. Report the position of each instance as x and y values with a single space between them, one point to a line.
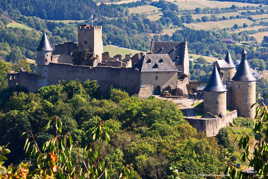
132 136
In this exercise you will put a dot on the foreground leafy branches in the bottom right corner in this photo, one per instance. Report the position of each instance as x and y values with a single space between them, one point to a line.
256 154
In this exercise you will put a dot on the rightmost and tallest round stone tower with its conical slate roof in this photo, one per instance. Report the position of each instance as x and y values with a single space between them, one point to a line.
244 89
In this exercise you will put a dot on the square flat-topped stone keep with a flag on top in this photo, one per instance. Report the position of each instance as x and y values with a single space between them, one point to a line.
90 40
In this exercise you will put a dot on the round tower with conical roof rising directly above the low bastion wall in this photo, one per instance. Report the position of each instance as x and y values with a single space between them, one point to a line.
215 95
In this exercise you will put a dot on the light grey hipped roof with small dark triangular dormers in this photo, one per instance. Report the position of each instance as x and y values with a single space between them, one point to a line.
158 63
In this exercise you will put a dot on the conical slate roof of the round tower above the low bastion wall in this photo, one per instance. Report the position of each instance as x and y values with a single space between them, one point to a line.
215 83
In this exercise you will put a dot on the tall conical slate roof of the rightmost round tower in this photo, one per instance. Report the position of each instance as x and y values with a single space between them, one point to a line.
244 72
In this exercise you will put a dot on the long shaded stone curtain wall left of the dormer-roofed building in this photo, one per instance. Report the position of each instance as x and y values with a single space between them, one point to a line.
122 78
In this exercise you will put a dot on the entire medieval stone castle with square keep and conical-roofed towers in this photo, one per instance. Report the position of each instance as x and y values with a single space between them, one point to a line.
164 69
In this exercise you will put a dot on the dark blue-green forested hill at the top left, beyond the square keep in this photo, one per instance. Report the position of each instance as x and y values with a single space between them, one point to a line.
58 10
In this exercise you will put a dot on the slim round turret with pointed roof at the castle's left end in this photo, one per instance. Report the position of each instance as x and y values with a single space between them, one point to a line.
44 51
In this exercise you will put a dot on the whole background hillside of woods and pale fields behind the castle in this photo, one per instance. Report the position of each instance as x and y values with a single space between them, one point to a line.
211 27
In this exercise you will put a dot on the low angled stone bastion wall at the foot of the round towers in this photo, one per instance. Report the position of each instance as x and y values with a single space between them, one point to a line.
212 126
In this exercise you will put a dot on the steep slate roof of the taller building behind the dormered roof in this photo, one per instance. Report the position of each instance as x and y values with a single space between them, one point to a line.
175 50
